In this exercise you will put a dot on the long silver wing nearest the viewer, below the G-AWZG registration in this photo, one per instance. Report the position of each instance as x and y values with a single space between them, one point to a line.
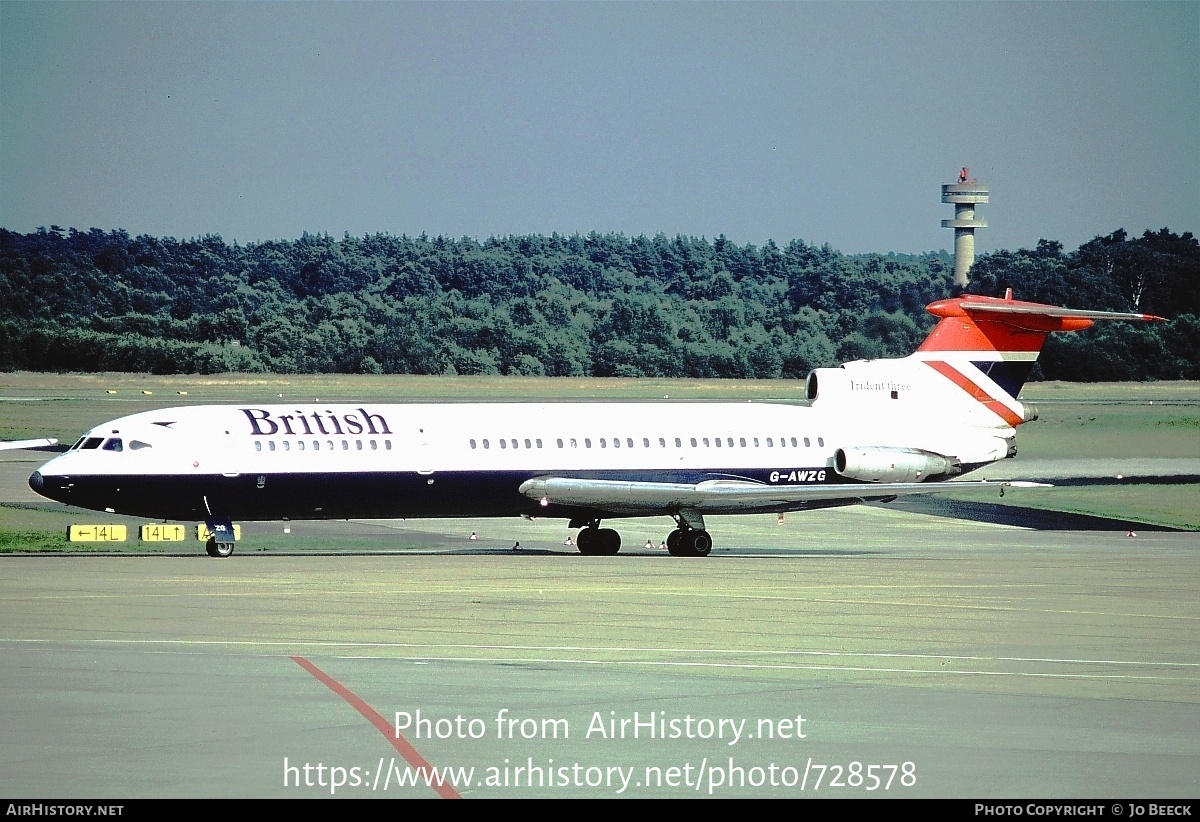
725 496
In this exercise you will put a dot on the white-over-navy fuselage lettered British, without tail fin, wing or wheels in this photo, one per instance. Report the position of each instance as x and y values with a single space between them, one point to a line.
322 461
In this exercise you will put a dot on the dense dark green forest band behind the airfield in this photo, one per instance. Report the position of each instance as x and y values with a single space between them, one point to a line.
602 305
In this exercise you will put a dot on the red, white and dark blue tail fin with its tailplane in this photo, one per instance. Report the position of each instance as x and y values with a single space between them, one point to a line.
987 346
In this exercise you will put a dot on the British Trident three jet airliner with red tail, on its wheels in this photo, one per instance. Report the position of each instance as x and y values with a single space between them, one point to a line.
867 431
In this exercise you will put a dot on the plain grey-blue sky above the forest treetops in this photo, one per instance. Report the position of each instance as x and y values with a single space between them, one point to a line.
827 122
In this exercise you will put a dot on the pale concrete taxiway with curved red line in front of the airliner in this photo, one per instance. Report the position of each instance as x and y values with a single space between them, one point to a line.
944 658
